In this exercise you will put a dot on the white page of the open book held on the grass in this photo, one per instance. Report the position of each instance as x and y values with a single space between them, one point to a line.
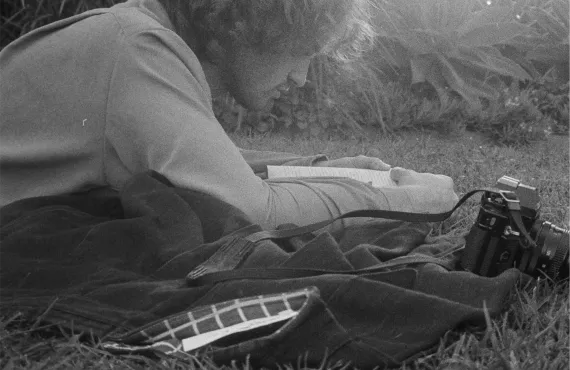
378 179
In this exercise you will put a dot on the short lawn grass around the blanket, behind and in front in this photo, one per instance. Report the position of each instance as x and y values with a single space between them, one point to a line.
532 334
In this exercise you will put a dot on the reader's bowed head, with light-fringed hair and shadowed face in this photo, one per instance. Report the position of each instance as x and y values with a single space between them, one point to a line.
261 46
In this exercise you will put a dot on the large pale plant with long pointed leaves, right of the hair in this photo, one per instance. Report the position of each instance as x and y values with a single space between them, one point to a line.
450 44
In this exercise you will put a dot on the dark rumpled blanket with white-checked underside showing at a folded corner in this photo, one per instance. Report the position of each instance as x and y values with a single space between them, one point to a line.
116 265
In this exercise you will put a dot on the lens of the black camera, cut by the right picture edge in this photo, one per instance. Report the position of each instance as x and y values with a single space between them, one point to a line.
554 244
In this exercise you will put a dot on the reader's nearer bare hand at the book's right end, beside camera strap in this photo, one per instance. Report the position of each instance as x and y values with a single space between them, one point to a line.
426 192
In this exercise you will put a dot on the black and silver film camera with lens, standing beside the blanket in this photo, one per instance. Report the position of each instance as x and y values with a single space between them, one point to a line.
496 242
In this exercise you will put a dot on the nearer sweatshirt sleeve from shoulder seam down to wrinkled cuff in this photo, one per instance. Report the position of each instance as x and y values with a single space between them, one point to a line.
159 117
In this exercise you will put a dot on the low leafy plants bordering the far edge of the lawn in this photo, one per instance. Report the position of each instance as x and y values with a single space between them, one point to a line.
517 117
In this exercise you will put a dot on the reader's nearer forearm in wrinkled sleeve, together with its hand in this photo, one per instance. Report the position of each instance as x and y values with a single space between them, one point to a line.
302 201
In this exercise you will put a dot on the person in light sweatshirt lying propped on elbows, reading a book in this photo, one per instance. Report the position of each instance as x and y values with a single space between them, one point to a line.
89 101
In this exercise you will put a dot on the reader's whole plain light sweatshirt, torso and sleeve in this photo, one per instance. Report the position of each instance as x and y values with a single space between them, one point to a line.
93 99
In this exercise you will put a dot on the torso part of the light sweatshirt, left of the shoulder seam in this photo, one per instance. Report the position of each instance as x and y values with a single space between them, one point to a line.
55 85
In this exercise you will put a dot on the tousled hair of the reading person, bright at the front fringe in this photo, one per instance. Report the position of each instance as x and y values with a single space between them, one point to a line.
339 28
